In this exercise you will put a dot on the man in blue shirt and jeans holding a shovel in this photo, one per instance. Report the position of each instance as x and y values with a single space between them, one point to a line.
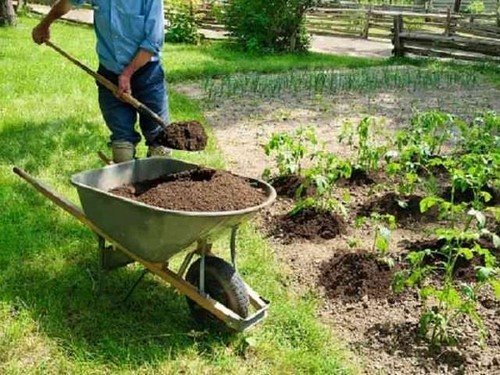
130 35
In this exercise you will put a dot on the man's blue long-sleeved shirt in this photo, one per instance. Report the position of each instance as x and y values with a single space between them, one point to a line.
124 26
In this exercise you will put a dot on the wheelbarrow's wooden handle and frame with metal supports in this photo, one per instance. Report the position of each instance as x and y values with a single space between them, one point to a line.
162 270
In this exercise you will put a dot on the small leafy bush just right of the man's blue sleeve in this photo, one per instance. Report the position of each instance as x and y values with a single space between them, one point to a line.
182 22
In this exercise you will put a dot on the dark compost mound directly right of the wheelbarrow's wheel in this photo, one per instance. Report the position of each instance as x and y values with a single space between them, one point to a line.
353 276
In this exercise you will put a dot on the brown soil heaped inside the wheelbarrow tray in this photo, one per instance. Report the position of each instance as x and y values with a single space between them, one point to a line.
200 189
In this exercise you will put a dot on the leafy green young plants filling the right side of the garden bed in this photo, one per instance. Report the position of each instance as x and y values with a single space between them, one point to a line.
434 150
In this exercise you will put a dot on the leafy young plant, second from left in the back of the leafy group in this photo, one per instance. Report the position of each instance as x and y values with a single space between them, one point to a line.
369 152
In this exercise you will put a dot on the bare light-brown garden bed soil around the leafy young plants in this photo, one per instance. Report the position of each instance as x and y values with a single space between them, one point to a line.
358 303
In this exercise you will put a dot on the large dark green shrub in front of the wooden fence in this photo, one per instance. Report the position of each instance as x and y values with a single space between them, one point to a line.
261 25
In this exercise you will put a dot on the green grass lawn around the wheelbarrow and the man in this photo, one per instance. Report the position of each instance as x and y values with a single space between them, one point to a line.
51 320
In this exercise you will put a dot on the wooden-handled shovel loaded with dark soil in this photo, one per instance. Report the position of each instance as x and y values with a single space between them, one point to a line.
191 133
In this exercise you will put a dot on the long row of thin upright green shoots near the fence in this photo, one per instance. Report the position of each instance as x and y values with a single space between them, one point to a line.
334 81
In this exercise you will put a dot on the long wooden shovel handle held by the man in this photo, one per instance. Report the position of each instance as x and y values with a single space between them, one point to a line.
127 98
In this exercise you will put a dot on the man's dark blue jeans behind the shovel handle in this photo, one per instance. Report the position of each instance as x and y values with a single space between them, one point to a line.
148 86
